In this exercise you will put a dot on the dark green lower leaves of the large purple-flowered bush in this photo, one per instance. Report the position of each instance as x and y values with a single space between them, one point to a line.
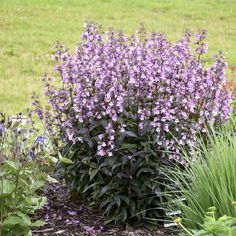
127 185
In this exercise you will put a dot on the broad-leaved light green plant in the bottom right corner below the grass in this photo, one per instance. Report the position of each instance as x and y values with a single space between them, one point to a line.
225 225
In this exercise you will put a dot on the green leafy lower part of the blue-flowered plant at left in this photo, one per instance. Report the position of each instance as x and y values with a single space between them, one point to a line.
19 198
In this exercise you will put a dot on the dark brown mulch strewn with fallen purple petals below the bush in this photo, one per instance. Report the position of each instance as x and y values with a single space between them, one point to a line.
65 217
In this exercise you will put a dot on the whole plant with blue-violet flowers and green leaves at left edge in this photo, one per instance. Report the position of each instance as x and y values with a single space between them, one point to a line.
21 175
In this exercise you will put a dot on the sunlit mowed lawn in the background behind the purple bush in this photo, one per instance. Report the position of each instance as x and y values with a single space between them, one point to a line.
28 29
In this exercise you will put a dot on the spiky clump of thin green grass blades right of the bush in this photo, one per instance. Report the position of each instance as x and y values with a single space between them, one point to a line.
207 181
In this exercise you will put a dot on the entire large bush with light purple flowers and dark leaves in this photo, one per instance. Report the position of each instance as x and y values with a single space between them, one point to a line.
121 106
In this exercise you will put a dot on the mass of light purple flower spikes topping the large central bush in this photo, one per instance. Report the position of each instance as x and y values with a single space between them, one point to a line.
165 87
